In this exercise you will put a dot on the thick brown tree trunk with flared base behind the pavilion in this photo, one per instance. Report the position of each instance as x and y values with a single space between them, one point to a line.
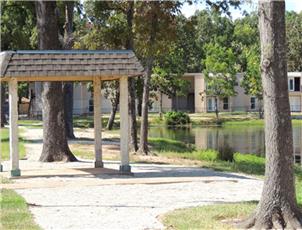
55 146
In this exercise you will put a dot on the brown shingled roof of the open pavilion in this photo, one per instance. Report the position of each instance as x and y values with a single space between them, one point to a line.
72 64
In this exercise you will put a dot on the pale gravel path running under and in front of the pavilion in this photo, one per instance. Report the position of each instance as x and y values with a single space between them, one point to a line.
104 202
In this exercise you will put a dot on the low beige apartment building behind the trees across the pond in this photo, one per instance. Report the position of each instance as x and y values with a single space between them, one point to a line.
196 100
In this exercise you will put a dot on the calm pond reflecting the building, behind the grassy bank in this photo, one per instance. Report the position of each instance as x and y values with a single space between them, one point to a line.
242 138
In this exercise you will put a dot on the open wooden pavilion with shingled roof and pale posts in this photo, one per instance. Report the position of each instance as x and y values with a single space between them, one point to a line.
71 66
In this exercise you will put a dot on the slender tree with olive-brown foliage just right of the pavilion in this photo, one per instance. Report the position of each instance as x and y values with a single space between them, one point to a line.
155 28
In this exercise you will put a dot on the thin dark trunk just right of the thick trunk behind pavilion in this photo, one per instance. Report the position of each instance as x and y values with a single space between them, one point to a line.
68 86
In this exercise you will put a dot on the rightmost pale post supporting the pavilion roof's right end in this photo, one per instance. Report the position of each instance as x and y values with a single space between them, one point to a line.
124 125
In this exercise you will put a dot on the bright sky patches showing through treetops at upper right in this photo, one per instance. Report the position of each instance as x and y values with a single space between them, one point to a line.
291 5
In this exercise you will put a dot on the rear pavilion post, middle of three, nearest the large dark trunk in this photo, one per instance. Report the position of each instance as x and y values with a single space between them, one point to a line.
97 122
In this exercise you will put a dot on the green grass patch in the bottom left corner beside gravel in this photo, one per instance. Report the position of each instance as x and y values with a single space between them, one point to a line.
14 212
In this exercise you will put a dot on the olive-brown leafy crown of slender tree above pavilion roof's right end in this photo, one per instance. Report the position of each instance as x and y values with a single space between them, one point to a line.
154 27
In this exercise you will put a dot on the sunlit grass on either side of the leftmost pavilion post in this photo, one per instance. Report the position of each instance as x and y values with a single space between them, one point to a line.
4 138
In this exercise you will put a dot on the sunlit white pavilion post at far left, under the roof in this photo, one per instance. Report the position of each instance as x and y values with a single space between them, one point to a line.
13 127
